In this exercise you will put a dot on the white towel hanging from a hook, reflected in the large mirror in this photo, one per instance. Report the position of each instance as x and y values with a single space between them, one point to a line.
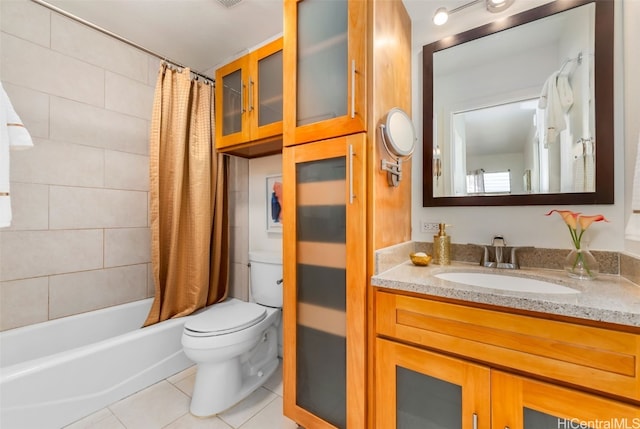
555 100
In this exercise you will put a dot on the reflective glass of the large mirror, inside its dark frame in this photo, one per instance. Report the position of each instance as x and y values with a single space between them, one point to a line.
514 111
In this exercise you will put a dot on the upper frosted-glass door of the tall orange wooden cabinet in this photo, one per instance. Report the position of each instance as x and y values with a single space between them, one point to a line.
325 64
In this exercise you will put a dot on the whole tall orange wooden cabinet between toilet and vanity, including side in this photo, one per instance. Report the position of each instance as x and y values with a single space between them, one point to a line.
346 64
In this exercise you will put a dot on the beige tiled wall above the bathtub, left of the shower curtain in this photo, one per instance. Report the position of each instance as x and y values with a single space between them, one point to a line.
80 236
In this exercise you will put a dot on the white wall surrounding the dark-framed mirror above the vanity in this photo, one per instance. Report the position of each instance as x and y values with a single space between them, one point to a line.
526 225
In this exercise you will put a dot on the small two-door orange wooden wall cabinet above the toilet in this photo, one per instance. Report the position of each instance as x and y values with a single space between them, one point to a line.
249 103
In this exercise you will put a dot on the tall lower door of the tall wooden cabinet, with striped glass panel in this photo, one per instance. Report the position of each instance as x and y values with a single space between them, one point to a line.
325 283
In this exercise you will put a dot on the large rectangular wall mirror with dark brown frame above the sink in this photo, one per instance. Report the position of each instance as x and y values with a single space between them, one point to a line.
520 111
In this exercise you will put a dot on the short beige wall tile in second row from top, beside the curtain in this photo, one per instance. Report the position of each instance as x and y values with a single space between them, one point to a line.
128 96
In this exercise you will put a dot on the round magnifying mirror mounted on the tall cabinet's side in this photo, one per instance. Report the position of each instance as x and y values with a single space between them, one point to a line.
399 140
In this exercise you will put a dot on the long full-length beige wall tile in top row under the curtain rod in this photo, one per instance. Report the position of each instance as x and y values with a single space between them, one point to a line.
81 42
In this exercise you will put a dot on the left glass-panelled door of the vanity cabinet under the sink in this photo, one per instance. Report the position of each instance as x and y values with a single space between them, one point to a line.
417 389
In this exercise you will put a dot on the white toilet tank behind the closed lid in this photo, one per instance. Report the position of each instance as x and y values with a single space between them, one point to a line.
266 277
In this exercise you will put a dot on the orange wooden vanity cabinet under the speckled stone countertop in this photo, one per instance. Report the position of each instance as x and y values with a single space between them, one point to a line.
499 369
